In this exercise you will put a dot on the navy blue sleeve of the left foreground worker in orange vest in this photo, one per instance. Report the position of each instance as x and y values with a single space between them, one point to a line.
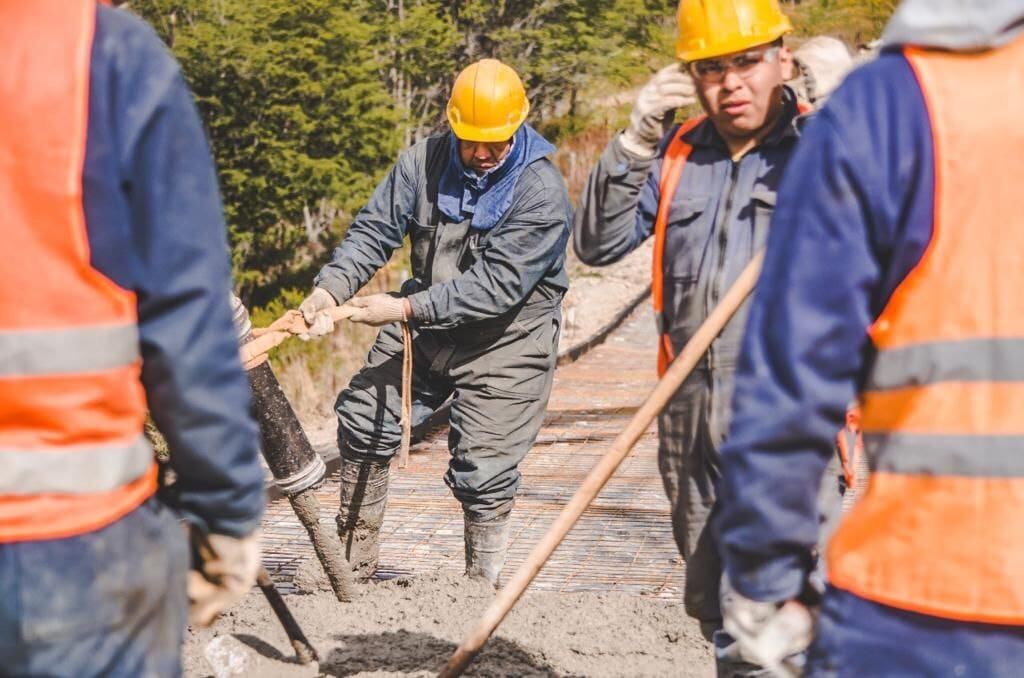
155 225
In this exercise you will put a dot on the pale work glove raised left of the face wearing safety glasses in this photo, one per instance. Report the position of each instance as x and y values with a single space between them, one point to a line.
669 90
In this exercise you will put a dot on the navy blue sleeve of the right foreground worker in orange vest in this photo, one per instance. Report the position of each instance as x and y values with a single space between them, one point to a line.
803 353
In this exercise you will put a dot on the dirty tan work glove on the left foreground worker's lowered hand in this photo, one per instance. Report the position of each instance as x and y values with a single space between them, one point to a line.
224 575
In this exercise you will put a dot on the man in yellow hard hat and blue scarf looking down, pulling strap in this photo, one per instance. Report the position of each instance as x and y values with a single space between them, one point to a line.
488 216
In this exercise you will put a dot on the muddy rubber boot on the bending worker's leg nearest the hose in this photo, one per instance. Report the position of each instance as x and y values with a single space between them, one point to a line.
364 497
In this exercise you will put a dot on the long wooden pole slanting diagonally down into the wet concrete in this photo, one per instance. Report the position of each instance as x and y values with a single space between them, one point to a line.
600 476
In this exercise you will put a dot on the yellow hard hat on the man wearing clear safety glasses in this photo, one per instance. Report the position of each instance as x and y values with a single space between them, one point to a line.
714 28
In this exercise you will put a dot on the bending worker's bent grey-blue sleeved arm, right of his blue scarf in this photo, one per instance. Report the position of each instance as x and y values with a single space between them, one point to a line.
519 255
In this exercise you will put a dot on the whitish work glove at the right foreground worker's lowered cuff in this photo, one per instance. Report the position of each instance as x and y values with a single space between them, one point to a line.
767 633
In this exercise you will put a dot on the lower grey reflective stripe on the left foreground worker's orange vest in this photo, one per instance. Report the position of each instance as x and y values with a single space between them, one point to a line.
82 470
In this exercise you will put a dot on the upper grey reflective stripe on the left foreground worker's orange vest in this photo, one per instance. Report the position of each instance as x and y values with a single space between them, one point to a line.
72 351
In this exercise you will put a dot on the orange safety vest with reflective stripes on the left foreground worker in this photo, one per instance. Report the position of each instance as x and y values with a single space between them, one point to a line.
73 457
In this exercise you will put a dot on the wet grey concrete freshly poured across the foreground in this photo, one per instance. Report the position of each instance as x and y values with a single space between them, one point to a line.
410 627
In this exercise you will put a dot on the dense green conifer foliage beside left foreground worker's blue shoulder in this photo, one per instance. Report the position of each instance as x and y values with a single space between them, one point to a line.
298 120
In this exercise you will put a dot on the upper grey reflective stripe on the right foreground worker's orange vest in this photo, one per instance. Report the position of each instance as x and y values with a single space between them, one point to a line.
968 360
